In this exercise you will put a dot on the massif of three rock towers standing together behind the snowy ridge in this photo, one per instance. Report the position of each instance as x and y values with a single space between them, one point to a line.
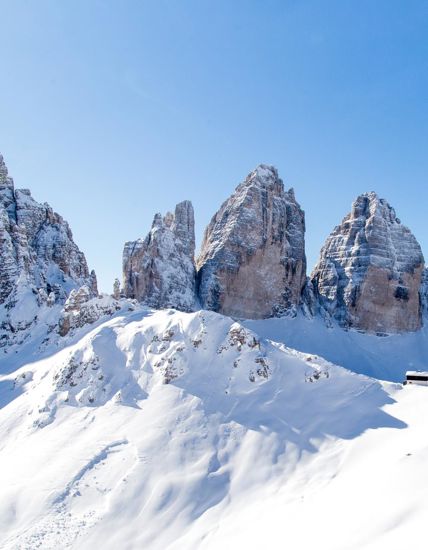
252 265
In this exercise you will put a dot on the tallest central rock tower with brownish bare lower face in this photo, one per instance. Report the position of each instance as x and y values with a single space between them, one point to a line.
252 262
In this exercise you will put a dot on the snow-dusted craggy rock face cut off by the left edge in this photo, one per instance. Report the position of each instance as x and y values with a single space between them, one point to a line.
39 261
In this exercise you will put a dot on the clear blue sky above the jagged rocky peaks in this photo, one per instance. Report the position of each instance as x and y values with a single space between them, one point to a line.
114 110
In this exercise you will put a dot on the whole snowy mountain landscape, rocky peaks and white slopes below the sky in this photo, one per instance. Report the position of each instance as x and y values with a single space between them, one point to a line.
128 427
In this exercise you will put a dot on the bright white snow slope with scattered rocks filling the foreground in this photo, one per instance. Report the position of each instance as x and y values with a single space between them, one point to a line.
171 431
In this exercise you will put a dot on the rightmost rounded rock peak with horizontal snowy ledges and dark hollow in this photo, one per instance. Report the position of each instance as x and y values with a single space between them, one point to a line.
370 270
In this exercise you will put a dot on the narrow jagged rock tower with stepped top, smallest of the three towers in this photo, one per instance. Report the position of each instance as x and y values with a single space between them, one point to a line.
160 270
